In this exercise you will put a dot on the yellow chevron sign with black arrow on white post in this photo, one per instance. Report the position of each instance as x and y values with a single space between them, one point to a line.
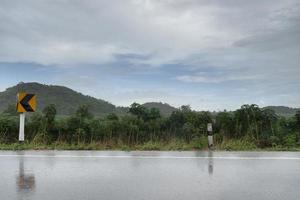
26 103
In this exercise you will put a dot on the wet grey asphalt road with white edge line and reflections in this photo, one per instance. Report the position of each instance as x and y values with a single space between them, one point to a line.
71 175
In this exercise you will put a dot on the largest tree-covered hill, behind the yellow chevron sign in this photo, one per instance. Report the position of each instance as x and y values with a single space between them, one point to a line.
65 99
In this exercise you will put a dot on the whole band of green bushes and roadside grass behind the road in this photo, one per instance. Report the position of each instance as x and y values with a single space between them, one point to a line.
142 128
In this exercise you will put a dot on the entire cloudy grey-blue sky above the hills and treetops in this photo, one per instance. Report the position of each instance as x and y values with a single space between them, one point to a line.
209 54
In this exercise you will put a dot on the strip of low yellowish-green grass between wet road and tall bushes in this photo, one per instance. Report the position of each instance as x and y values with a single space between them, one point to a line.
174 145
